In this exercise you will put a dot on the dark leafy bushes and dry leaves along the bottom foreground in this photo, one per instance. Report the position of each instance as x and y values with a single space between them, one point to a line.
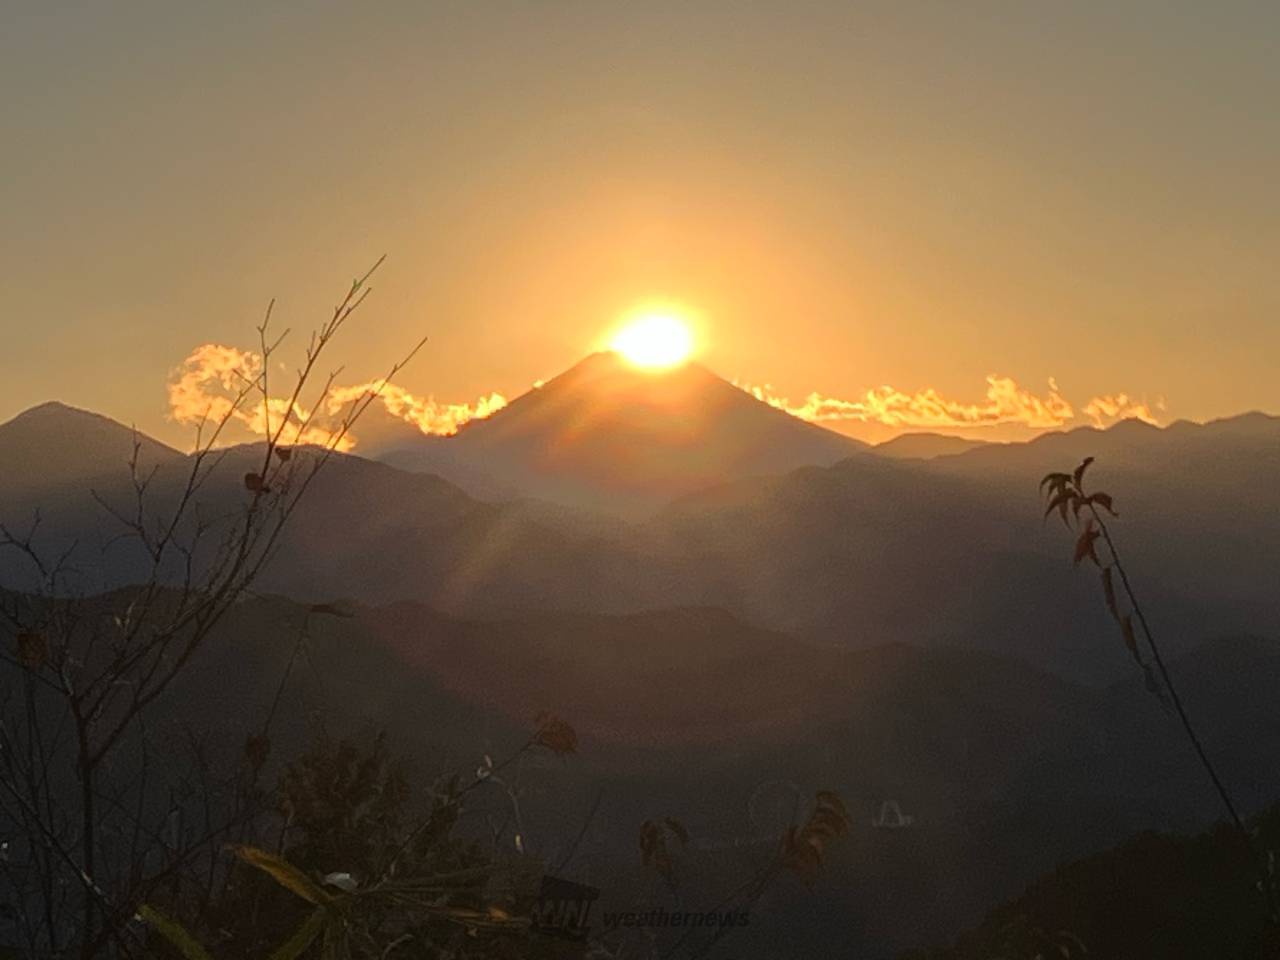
359 871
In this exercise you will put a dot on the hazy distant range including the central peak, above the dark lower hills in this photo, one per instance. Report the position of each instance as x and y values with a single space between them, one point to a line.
854 550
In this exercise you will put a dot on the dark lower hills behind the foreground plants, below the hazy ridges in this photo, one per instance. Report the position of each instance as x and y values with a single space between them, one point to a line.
1003 770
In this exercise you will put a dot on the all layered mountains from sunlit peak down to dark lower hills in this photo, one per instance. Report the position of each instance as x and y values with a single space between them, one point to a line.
776 609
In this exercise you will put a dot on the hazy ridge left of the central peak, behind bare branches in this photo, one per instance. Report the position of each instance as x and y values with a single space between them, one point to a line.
364 531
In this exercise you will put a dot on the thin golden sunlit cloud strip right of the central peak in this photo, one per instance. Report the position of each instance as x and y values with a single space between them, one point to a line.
1005 403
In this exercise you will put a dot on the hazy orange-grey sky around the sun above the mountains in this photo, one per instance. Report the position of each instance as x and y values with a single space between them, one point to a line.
966 212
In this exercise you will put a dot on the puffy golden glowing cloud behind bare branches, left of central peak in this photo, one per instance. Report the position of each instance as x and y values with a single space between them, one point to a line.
211 385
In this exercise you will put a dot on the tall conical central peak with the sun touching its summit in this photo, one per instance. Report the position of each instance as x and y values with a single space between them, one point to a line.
607 437
